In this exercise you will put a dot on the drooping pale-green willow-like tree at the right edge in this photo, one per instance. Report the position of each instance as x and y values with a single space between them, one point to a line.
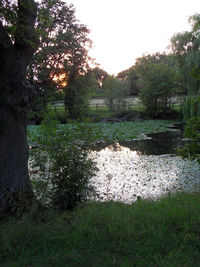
186 48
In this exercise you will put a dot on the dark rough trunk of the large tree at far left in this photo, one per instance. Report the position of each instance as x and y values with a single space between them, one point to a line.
15 98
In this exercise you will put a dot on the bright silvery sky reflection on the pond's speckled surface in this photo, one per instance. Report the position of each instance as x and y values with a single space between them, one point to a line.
125 175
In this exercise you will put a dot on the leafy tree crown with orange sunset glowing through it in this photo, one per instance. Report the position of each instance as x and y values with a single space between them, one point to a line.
62 56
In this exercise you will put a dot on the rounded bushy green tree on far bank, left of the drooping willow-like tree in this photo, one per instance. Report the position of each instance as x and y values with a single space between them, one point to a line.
157 81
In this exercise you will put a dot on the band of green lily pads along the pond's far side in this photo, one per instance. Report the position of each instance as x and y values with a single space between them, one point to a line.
102 131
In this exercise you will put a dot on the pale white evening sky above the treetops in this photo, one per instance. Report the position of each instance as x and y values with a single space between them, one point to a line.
123 30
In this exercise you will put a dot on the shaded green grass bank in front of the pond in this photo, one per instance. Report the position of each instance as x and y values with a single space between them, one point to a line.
147 233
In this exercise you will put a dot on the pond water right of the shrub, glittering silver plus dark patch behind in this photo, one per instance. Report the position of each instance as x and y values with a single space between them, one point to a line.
146 168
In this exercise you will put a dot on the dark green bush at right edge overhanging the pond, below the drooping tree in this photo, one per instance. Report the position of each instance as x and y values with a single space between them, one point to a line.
191 149
